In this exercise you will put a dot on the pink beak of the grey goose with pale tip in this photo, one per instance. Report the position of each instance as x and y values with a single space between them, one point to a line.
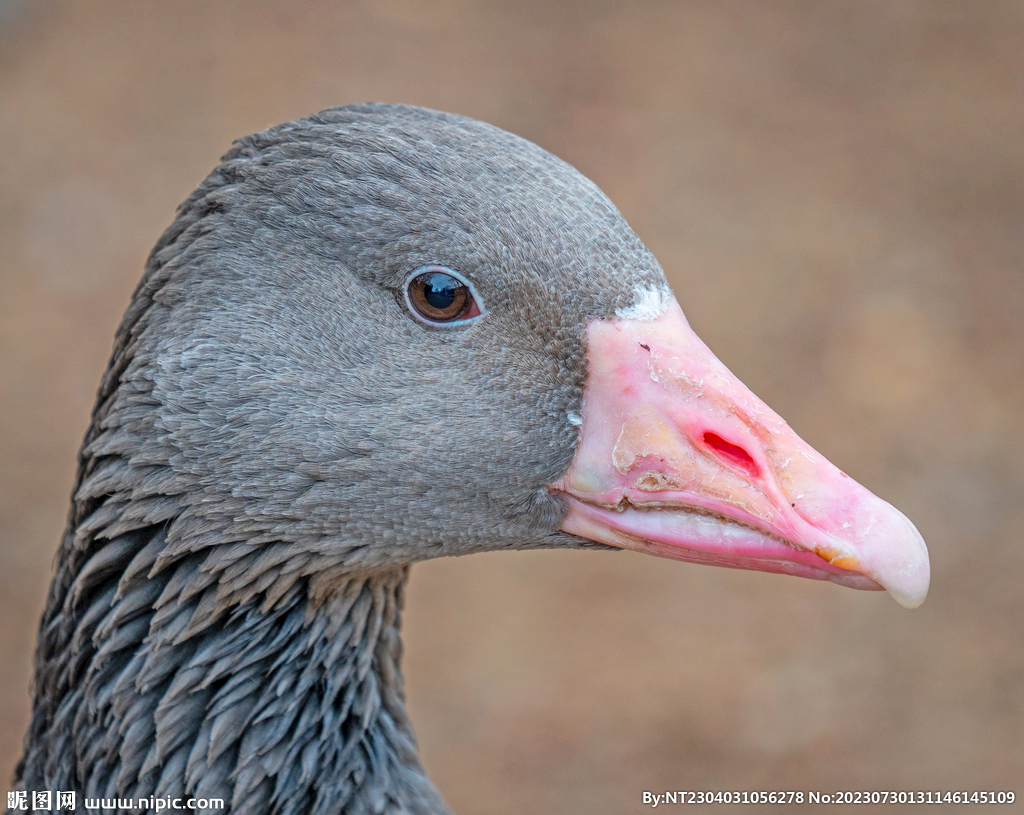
678 459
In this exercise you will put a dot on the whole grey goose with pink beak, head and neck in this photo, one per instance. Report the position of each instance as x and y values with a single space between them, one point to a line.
371 337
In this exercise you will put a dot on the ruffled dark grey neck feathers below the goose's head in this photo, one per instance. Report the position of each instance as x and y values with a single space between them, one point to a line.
292 706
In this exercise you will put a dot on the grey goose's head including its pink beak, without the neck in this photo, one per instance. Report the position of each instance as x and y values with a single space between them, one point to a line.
389 334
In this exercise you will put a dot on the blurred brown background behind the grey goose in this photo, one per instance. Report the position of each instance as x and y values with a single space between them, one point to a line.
837 194
